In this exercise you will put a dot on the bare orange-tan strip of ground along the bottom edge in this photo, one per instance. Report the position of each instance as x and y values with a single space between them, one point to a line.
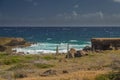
78 75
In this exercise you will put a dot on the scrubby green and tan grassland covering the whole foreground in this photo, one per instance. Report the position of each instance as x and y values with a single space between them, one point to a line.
95 66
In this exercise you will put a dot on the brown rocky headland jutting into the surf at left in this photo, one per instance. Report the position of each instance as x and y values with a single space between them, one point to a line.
7 43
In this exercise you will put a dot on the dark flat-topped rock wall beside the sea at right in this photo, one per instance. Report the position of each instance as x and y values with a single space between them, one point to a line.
105 43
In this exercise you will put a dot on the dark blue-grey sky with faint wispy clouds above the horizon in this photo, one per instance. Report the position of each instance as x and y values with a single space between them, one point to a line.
59 12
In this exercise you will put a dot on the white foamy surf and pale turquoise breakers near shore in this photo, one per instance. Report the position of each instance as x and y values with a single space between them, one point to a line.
49 48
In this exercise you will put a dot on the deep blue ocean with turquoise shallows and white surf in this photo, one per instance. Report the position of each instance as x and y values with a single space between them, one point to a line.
47 38
